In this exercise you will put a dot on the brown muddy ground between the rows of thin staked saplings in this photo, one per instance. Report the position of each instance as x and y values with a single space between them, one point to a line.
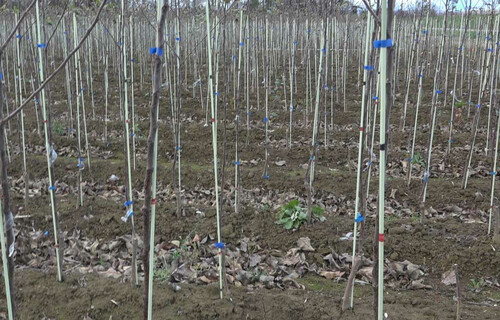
453 232
